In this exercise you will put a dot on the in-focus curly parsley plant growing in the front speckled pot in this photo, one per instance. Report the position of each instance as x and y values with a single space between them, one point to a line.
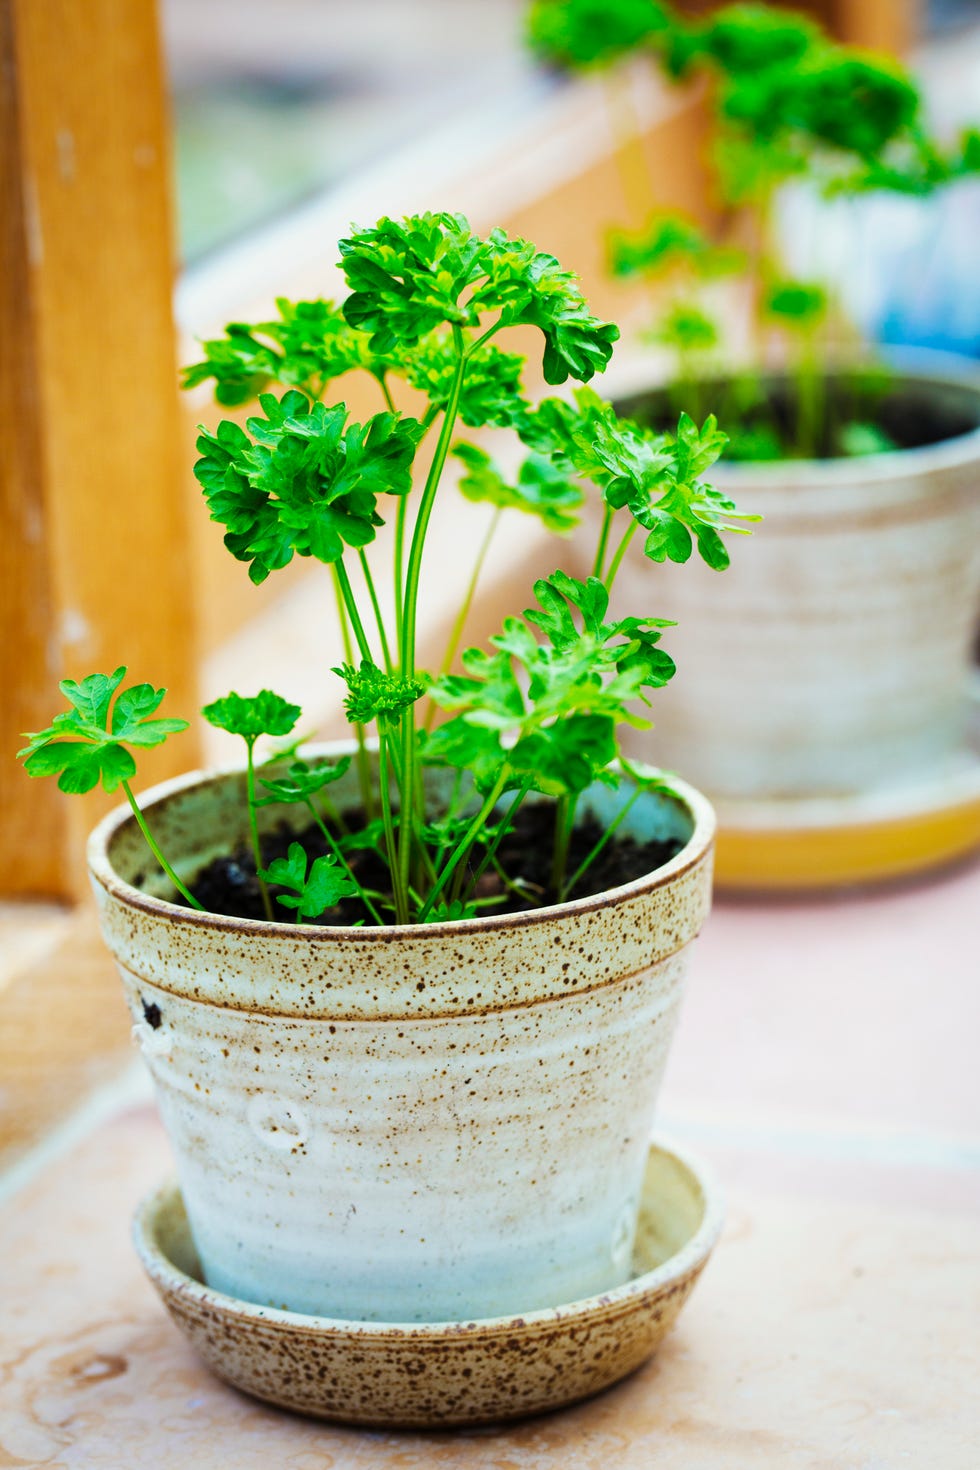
538 714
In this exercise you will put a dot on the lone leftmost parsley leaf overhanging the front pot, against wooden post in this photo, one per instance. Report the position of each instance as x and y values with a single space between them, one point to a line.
84 746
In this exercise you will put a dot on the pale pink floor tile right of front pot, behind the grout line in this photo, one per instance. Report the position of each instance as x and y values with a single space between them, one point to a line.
850 1015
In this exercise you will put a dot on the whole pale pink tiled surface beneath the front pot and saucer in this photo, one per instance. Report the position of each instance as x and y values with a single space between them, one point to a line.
826 1066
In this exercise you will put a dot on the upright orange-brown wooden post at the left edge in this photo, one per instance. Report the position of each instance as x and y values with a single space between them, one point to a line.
93 555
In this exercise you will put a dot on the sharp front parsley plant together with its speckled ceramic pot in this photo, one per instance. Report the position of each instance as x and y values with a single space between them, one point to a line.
408 1003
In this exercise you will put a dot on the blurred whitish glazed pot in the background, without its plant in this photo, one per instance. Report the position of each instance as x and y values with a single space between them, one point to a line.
834 656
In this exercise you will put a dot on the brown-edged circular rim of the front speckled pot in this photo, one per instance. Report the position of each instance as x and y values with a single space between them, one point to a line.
102 872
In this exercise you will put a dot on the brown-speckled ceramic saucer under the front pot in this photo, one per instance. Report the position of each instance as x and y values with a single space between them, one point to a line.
436 1375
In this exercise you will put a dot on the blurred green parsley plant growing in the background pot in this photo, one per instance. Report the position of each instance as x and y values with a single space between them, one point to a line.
790 105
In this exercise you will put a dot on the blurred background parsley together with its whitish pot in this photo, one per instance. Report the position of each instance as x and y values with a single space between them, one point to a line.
837 659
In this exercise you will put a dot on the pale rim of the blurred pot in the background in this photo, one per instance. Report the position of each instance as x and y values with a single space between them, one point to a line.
910 365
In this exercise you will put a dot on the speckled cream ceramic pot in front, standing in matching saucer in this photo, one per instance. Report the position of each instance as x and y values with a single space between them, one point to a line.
427 1124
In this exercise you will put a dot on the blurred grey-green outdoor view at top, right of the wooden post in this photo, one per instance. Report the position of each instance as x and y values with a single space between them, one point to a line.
274 107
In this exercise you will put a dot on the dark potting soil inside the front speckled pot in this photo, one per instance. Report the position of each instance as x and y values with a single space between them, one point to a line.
228 886
